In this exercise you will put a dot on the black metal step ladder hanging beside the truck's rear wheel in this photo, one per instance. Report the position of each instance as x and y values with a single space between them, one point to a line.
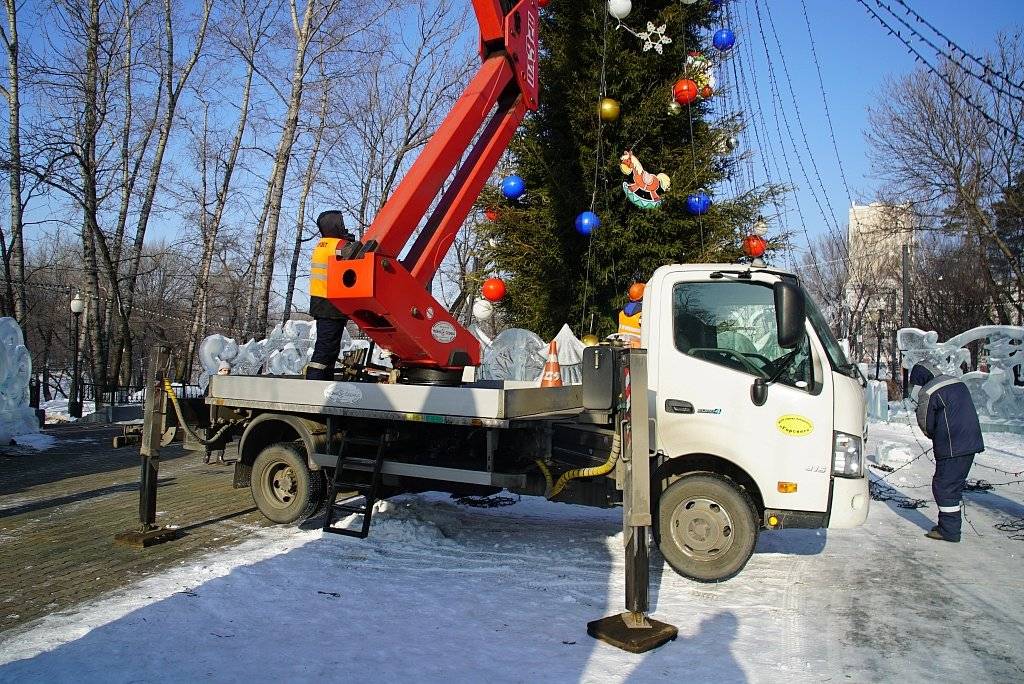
367 492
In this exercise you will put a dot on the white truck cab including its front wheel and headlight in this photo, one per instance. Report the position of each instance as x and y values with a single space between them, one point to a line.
739 420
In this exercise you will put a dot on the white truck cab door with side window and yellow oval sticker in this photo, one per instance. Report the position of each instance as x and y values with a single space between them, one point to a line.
716 337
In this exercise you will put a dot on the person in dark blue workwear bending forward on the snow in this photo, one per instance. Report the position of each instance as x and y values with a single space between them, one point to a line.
947 414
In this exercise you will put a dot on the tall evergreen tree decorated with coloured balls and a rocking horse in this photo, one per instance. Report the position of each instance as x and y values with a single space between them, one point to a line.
571 161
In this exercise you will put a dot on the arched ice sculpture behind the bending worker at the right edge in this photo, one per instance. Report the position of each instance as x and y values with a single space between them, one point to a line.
998 393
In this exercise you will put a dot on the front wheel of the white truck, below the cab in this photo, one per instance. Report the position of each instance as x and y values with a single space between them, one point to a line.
707 528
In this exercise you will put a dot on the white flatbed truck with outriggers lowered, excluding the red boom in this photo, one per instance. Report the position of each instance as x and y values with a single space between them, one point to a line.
752 420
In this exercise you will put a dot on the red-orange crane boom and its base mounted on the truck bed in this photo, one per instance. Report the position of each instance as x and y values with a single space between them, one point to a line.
388 297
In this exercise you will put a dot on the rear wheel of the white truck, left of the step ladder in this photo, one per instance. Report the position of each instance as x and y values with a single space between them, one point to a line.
283 487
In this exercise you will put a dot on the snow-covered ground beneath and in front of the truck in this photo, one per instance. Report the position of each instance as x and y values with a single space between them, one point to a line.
445 592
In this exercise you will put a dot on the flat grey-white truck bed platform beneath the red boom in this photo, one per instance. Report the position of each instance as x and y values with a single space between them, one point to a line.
489 404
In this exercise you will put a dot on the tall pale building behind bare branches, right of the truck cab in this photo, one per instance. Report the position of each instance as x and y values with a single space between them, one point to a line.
878 234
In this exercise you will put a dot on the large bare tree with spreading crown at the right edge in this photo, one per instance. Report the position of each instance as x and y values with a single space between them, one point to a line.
951 148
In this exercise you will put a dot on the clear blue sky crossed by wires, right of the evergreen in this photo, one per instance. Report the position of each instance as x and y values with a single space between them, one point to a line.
857 58
